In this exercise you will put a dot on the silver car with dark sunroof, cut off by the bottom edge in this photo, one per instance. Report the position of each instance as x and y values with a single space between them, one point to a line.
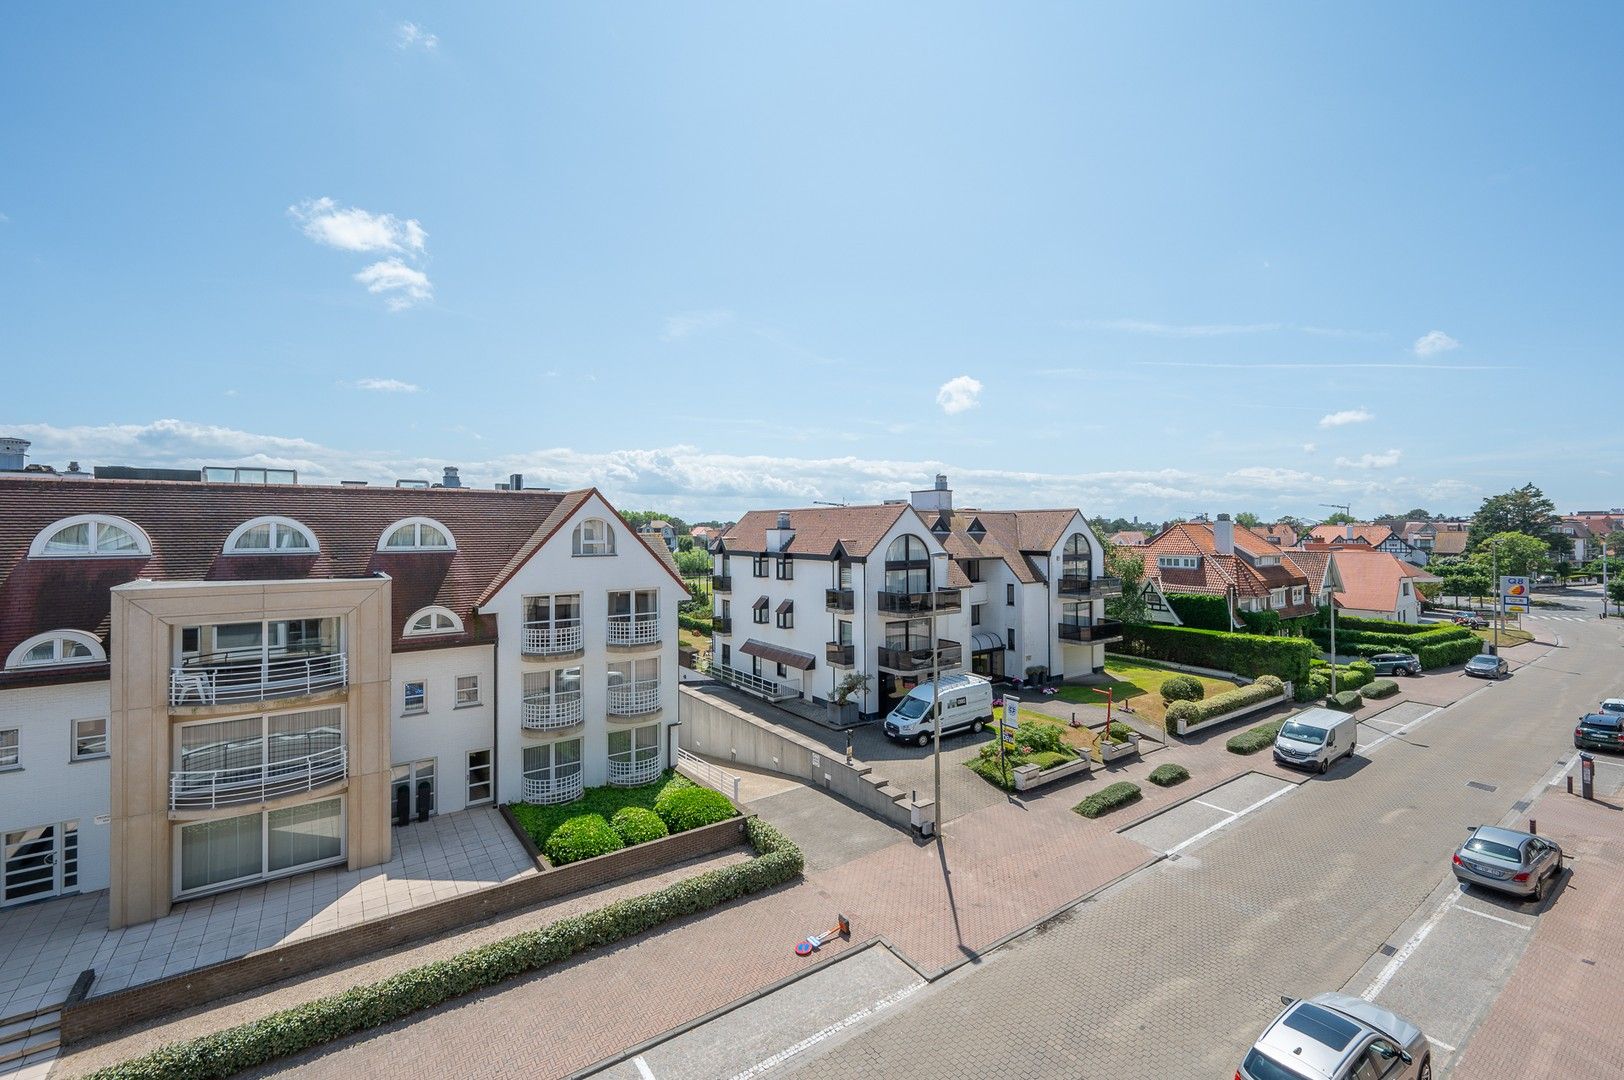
1336 1037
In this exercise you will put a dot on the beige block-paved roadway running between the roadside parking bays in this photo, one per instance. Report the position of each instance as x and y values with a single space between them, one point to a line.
1173 972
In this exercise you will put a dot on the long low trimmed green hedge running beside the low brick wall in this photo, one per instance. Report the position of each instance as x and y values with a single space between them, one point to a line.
374 1004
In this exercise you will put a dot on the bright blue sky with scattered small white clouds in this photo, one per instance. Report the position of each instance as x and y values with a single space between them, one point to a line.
1138 259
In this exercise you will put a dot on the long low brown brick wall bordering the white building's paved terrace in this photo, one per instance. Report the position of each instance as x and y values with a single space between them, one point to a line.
235 977
